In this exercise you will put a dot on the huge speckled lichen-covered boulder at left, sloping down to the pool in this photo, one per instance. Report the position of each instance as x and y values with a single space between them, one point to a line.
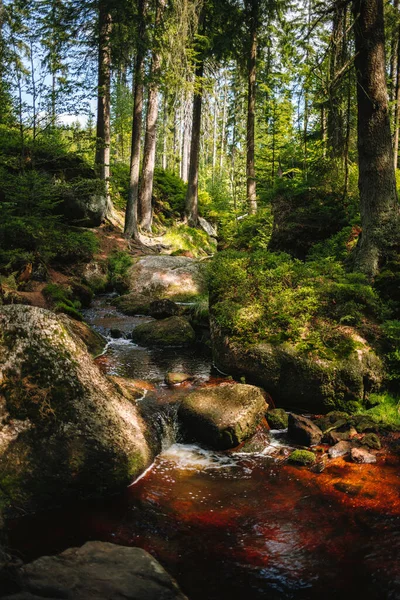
66 430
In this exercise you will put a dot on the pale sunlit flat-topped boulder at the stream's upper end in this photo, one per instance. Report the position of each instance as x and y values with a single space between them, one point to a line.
152 278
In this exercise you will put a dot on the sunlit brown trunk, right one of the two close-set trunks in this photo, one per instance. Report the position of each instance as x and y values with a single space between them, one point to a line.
149 153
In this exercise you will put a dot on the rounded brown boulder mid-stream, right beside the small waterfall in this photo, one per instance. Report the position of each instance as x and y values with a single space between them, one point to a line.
222 417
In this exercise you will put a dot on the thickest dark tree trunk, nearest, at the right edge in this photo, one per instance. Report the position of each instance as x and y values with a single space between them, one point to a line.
377 184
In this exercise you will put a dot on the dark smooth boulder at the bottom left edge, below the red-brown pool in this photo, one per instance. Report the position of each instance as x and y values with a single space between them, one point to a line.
96 571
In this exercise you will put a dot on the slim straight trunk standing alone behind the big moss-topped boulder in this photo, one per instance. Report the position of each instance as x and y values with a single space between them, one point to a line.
251 112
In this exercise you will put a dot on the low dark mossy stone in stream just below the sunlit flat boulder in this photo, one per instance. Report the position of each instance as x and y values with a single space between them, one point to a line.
175 331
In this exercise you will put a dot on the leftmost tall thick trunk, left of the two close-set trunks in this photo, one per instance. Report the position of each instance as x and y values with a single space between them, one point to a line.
103 136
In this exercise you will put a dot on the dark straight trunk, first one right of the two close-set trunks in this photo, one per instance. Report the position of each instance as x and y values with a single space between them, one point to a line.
191 206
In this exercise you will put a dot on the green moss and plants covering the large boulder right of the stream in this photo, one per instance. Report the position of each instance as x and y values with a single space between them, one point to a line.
268 297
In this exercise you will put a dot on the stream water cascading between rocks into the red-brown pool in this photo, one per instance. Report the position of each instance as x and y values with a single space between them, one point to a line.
241 524
